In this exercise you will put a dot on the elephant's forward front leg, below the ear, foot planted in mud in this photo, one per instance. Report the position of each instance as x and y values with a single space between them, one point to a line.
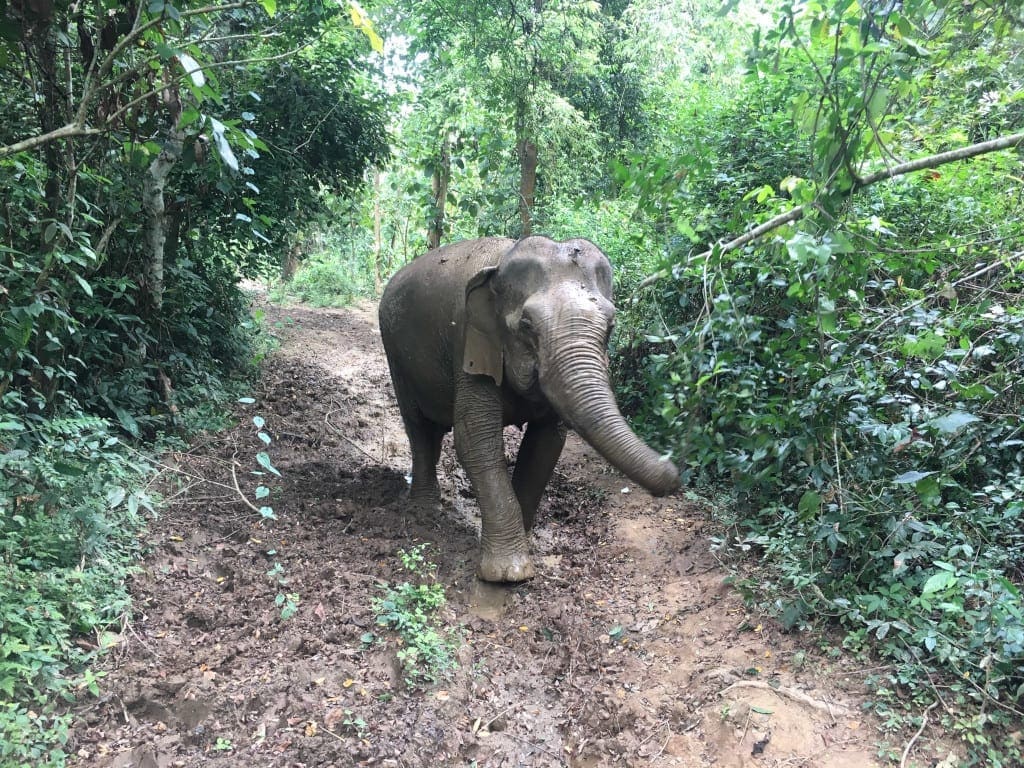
504 552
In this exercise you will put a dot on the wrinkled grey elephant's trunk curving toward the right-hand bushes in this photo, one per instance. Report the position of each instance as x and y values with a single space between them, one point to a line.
576 381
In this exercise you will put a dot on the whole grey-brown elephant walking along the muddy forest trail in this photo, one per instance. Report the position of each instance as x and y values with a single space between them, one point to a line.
486 333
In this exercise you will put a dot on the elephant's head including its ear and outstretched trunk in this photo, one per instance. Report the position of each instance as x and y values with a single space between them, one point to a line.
540 324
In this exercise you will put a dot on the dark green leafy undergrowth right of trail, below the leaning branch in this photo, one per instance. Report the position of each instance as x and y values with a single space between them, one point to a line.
874 441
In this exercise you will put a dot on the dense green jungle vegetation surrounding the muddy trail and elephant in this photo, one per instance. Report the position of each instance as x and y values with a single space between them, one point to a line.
815 210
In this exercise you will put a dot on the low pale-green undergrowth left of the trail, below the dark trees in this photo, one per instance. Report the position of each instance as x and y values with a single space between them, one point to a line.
70 516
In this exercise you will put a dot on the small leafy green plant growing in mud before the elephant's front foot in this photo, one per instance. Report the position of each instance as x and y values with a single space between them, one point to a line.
412 612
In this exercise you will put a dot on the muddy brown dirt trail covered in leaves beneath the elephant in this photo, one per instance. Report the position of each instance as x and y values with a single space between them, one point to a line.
627 650
